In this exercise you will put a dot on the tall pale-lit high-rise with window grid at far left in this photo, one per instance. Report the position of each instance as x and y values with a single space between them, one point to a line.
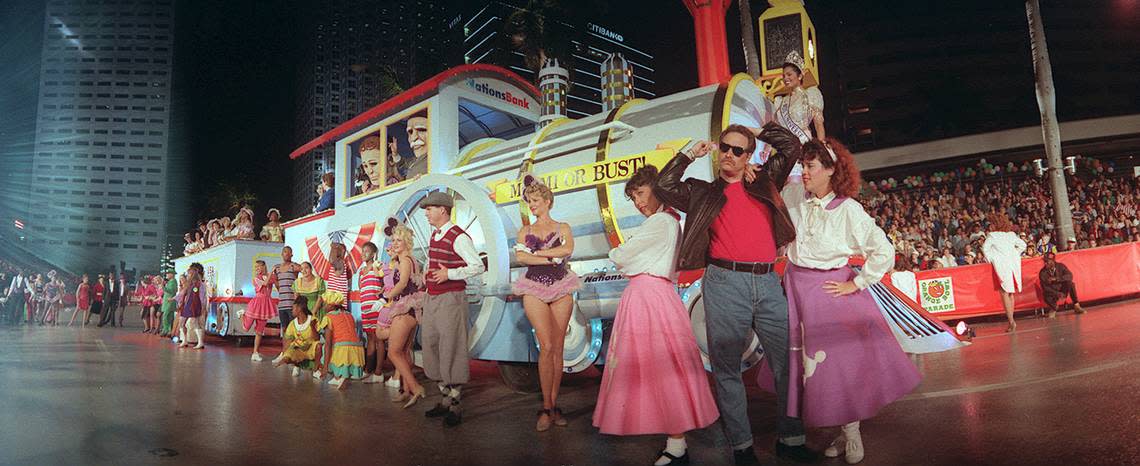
100 177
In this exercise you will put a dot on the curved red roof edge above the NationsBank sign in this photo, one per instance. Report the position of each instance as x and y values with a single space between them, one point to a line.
418 93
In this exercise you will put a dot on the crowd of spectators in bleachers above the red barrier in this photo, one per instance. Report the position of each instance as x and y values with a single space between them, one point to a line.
940 219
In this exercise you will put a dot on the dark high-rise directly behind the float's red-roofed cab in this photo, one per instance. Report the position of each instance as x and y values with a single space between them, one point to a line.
361 53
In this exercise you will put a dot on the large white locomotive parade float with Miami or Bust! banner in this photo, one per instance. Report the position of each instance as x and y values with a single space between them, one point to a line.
475 132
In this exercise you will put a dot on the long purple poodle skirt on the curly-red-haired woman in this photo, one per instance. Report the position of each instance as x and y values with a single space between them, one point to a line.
844 363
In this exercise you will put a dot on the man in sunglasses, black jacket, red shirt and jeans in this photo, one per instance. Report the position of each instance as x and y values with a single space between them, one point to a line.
735 226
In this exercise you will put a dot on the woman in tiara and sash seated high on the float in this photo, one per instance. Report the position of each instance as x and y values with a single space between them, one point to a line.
800 104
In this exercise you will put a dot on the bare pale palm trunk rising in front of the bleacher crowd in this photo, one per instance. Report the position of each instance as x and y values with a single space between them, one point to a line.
1047 102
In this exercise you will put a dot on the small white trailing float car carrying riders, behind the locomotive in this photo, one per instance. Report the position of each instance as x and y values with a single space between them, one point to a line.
230 280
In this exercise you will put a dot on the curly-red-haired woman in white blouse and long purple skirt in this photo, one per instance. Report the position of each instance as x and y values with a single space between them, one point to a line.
845 363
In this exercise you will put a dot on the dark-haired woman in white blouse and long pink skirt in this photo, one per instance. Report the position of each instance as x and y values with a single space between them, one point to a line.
655 382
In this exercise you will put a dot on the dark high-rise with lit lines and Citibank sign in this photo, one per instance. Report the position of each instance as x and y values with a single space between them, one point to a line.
591 44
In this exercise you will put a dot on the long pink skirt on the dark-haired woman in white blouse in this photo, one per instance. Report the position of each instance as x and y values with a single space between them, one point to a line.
655 382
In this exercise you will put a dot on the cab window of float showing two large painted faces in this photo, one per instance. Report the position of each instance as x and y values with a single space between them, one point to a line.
389 154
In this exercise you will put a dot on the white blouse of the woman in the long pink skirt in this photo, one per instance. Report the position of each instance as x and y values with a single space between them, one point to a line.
652 249
